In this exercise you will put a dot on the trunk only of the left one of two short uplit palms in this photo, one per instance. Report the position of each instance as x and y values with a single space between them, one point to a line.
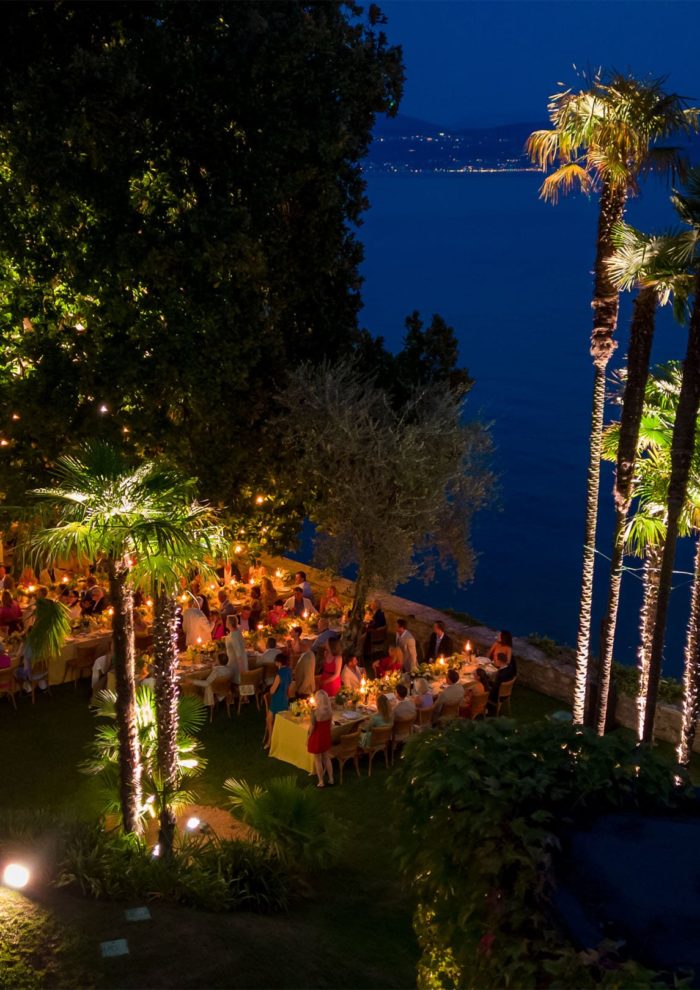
130 792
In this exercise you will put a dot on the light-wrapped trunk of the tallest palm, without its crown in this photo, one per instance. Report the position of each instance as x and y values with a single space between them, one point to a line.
605 308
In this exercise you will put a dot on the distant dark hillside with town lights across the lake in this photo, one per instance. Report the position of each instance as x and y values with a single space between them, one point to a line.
409 145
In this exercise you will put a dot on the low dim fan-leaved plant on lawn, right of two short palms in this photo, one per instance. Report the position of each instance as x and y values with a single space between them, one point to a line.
288 820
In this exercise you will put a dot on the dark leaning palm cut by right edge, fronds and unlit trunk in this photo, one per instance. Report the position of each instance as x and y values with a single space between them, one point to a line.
683 442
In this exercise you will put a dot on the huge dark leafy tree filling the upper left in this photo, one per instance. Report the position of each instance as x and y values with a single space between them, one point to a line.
179 185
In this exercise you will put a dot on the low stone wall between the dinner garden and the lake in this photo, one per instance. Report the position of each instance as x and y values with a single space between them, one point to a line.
548 675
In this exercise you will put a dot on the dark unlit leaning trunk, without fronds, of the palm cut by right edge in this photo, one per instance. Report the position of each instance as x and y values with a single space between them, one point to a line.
682 448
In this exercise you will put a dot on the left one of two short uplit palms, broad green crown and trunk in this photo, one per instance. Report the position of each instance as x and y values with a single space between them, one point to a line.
104 508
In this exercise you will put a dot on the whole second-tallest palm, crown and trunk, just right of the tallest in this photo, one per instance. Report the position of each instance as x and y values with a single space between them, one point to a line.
649 263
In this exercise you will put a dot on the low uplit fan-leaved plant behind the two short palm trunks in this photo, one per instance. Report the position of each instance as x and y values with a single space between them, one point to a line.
158 793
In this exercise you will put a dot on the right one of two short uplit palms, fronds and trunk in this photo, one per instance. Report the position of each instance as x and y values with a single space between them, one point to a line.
194 539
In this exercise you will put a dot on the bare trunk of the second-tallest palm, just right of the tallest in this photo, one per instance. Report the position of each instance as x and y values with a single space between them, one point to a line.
641 336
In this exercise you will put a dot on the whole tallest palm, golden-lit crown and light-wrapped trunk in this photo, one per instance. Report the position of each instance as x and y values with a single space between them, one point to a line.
603 137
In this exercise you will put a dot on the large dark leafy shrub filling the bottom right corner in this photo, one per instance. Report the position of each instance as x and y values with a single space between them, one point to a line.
481 808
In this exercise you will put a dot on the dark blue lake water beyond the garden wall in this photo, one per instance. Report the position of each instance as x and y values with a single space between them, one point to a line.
512 275
